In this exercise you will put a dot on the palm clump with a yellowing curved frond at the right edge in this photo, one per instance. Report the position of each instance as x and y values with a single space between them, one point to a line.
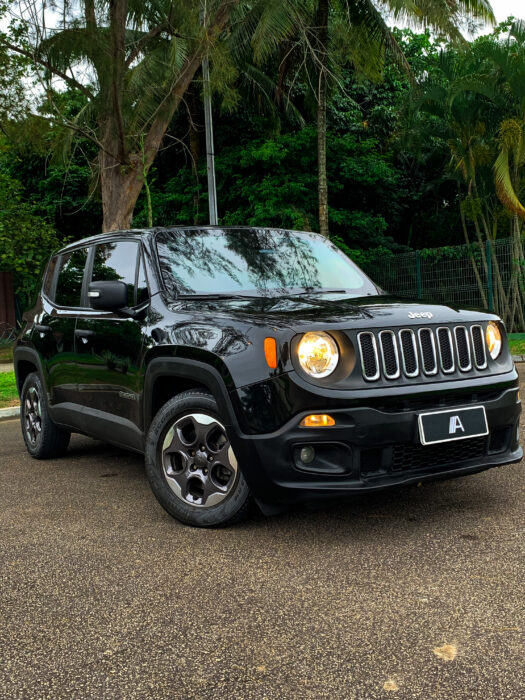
480 96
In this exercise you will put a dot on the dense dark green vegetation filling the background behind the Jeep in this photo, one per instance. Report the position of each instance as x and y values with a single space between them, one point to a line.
417 158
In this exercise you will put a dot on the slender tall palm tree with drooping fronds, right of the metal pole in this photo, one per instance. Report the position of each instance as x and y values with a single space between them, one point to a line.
330 33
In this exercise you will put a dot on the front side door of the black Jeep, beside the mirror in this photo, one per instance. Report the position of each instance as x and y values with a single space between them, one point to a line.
109 345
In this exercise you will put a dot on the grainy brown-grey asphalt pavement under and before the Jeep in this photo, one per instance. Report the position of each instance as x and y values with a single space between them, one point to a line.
415 593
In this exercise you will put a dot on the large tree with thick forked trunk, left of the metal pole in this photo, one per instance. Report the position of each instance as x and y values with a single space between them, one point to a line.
133 62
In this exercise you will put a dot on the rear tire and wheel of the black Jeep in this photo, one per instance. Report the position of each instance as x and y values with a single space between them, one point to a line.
42 437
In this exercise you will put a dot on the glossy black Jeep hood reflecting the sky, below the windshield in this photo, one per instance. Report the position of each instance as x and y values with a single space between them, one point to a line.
331 311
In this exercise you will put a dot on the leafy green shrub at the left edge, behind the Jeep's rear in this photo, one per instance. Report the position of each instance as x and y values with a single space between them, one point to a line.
26 239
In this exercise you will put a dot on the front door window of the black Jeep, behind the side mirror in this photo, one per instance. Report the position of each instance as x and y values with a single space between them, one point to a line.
117 261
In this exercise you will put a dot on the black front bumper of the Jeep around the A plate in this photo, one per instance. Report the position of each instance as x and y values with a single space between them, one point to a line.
373 448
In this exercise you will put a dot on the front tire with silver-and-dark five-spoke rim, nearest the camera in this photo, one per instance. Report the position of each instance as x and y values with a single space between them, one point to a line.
199 487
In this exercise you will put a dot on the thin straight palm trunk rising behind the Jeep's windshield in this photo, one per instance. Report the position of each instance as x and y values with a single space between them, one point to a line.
322 42
